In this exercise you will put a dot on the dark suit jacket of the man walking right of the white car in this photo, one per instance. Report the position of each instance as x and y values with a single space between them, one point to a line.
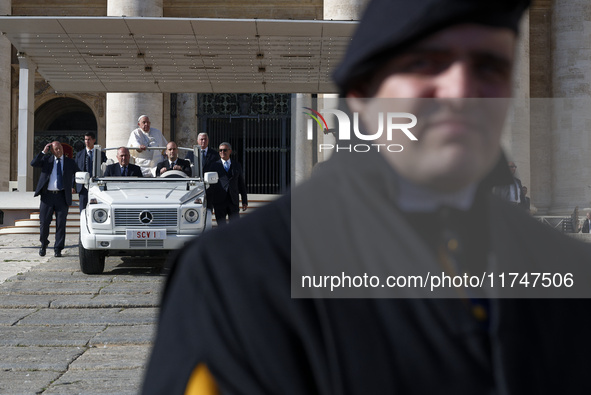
230 182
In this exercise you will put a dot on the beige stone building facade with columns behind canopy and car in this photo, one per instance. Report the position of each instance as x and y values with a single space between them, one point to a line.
546 136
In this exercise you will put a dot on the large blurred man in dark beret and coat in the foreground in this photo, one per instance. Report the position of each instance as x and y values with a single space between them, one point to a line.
315 295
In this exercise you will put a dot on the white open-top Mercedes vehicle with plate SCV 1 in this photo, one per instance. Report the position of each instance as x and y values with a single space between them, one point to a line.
140 216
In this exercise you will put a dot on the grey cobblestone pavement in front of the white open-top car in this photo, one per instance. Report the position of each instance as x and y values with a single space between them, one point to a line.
64 332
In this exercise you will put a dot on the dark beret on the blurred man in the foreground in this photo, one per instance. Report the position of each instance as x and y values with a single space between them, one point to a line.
387 26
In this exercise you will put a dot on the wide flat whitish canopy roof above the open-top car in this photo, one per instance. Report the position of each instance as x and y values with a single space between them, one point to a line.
125 54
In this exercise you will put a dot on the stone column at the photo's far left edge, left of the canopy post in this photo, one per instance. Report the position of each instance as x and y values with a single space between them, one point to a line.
5 86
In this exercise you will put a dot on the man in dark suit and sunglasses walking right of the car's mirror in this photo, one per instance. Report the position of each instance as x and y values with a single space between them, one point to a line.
230 185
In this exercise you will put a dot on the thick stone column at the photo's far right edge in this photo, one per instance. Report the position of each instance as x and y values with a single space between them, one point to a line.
571 83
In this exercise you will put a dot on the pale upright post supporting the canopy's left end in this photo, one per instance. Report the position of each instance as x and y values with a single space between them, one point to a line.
26 110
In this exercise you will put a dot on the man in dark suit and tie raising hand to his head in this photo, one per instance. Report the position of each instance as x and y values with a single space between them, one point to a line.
56 185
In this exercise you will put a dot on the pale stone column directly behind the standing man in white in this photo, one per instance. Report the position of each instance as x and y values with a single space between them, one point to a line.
123 109
